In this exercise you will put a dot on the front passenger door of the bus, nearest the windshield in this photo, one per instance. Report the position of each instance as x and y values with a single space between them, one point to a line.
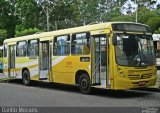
100 62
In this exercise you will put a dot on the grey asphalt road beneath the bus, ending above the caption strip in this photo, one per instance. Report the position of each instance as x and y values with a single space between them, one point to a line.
57 95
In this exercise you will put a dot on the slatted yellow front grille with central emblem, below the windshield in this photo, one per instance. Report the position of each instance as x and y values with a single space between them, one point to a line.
143 76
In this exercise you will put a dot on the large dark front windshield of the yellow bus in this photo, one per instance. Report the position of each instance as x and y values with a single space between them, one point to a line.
134 50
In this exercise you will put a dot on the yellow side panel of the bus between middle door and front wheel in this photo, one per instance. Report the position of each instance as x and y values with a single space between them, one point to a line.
64 68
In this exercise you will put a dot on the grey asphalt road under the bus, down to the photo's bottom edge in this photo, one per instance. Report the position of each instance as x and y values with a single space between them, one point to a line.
58 98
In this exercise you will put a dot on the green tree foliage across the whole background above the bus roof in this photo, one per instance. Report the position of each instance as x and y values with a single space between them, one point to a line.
24 16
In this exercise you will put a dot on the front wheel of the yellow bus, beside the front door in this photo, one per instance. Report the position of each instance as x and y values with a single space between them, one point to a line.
84 84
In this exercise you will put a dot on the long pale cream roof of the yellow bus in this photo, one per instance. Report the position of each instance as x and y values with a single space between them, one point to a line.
65 31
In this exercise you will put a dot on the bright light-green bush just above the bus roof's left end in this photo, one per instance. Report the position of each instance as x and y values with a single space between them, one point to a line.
27 32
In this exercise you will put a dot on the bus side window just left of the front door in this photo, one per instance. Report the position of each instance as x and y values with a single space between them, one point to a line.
81 43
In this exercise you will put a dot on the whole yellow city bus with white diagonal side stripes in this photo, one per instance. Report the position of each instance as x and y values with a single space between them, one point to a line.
112 55
